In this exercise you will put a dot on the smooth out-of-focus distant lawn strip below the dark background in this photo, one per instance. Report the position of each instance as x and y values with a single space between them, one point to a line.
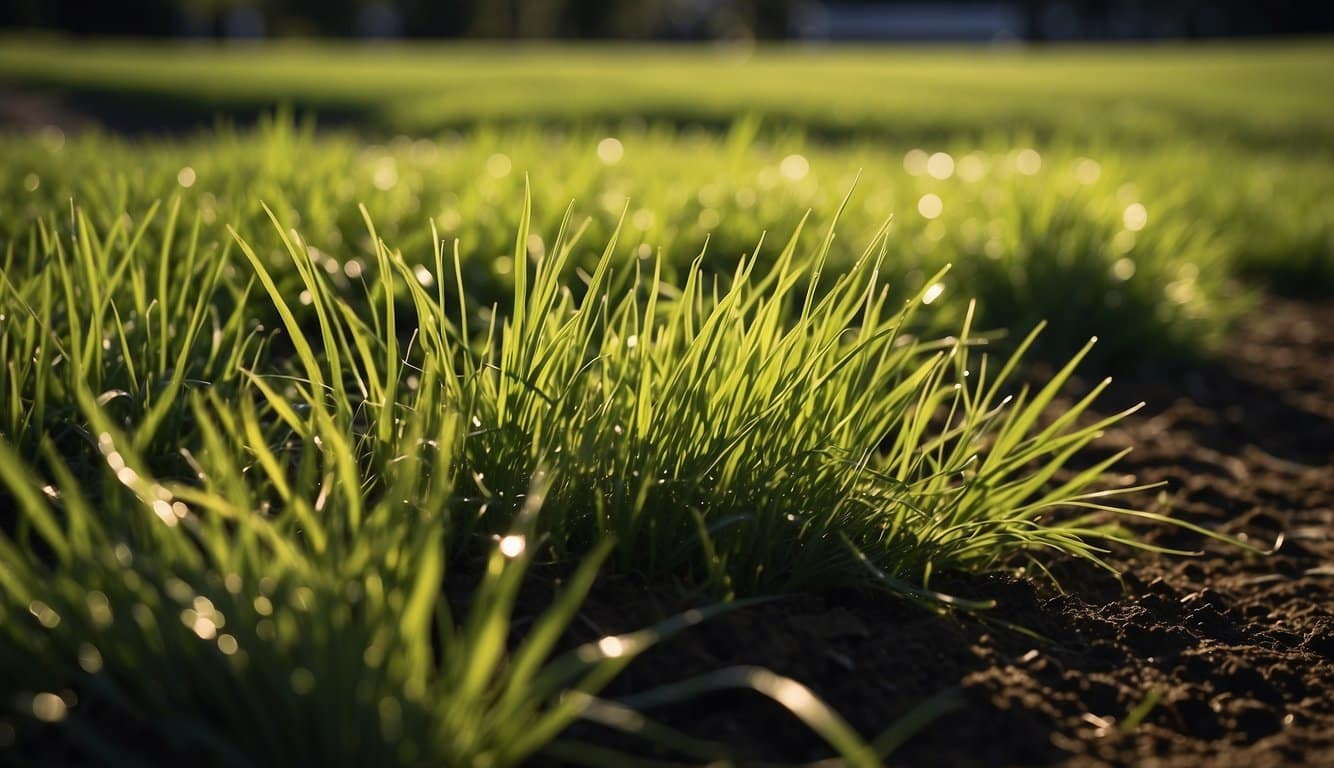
1256 94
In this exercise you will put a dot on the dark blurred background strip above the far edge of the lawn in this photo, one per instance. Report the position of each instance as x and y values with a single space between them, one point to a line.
853 21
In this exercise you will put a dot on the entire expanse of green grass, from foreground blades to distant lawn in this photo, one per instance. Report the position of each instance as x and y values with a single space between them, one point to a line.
749 322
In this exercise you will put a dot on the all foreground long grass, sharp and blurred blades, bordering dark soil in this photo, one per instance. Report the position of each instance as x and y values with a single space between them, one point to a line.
195 494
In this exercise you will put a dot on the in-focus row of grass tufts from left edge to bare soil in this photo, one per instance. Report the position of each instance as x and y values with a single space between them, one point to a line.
716 430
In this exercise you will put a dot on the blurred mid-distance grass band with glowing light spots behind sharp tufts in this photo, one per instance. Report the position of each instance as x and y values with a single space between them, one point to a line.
1032 237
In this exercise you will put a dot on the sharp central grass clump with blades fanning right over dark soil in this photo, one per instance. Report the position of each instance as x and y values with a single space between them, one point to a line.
749 435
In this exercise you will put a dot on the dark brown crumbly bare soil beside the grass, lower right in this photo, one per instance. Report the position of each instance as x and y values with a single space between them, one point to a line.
1225 659
